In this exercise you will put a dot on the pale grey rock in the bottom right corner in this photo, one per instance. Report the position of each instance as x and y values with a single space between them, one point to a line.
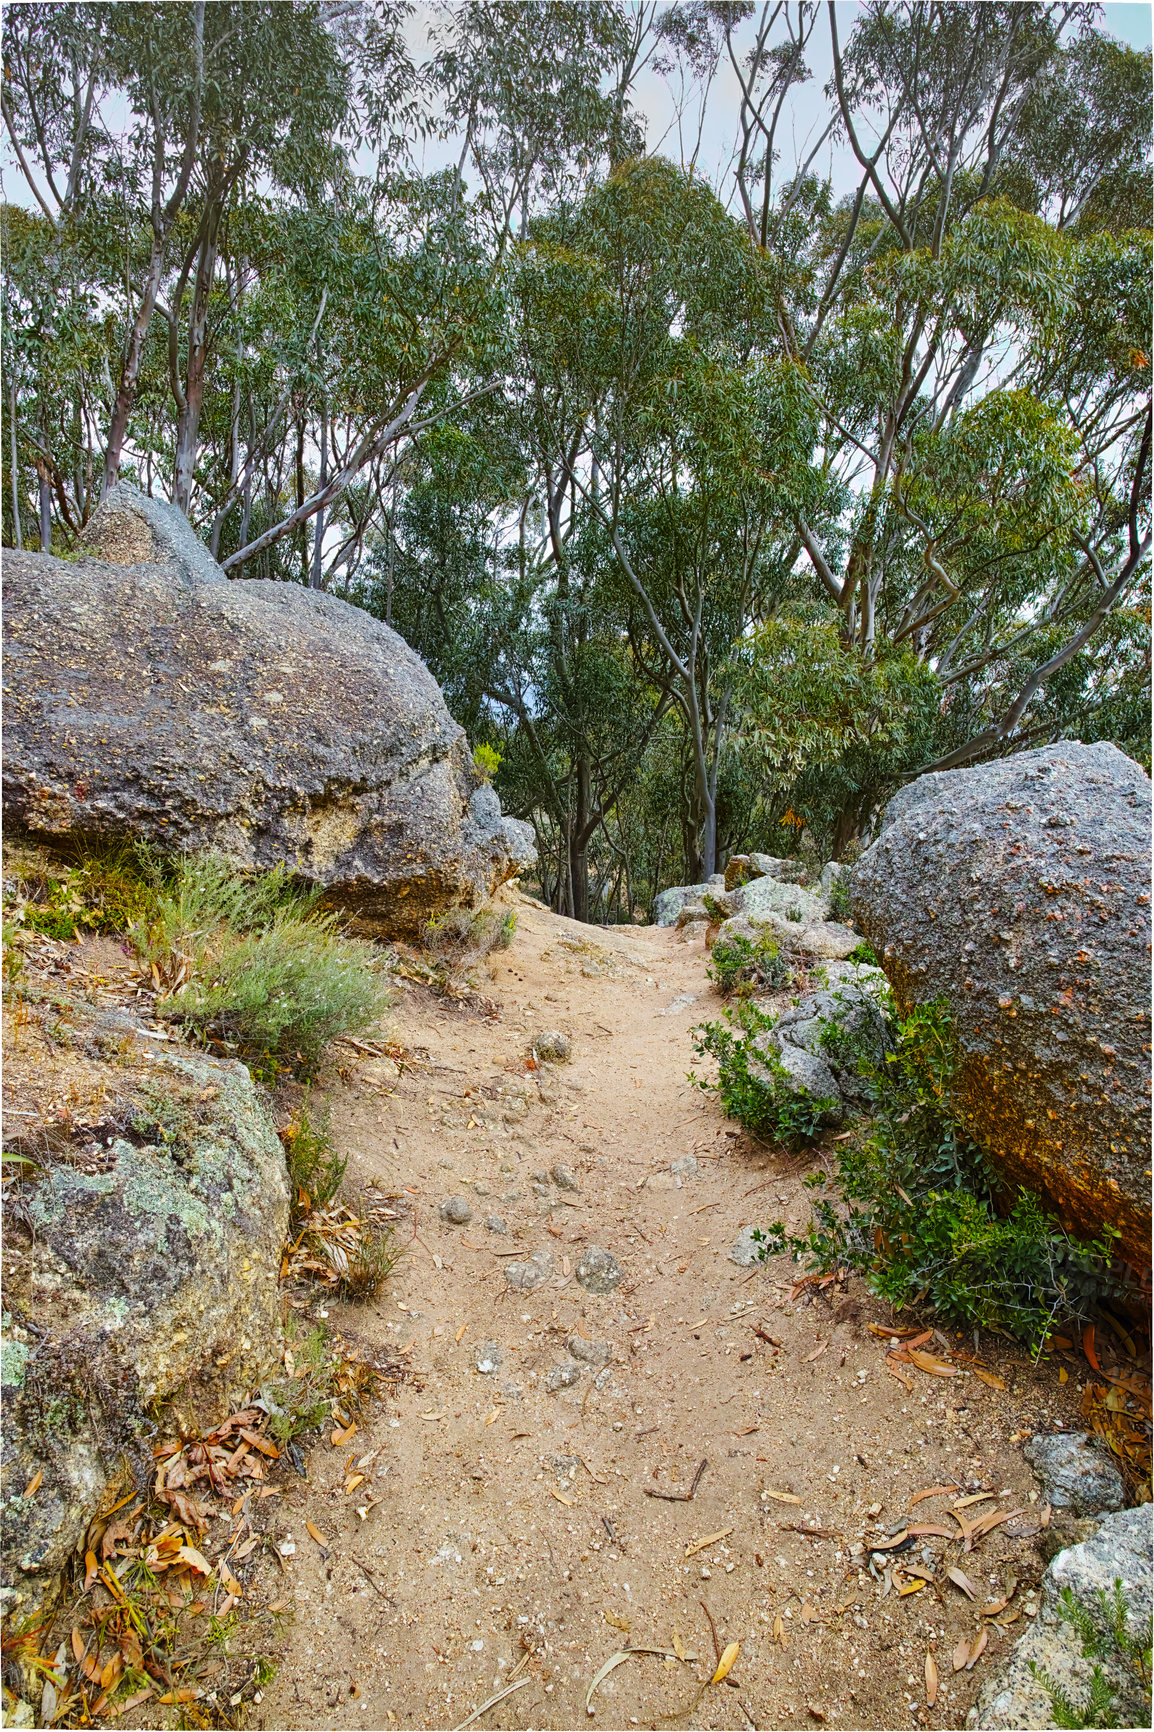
1013 1696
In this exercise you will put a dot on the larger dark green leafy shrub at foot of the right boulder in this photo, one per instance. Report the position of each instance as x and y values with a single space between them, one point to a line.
917 1213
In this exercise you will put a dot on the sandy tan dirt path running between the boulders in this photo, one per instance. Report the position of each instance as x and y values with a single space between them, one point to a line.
514 1537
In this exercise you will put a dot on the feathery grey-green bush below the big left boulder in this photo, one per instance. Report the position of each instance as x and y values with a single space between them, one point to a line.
250 962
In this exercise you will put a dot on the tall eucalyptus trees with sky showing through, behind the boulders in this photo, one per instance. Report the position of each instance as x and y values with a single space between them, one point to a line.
718 503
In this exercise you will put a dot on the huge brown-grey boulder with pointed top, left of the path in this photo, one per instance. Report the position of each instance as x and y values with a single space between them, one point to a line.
266 721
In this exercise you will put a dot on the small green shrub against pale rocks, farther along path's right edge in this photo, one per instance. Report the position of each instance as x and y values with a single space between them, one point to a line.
753 1085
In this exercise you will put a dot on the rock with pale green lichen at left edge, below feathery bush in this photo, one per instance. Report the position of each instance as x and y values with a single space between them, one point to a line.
150 1281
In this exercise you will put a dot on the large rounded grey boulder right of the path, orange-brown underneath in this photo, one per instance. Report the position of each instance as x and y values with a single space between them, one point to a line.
1020 893
